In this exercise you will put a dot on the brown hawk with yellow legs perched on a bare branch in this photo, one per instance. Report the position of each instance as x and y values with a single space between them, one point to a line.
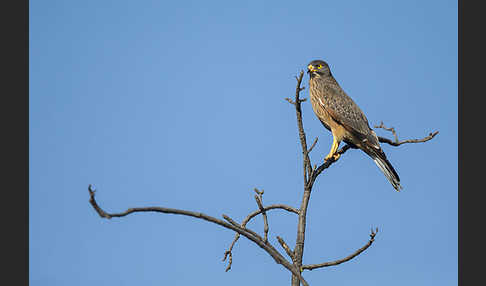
342 116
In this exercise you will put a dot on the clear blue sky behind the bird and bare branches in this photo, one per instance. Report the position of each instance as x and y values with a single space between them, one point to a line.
181 104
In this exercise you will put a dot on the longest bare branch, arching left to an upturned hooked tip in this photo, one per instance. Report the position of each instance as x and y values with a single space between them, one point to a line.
252 236
